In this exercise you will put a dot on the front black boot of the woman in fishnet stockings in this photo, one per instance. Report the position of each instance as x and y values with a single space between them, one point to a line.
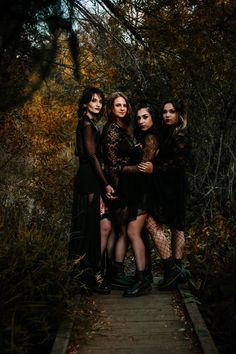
172 275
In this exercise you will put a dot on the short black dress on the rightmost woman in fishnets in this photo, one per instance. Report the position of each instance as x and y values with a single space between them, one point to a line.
169 178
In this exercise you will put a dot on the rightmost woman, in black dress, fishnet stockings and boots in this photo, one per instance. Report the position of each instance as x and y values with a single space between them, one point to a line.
169 192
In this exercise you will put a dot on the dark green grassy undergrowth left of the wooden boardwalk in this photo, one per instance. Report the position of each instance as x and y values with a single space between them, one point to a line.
36 287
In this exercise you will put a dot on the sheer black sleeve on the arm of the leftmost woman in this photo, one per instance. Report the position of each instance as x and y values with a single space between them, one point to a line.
90 147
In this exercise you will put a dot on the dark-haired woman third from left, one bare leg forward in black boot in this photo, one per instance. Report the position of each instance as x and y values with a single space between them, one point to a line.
139 188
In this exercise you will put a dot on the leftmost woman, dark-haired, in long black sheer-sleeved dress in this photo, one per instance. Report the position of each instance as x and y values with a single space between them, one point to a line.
89 183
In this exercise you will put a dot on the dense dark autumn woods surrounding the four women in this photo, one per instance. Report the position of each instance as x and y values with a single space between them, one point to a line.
49 51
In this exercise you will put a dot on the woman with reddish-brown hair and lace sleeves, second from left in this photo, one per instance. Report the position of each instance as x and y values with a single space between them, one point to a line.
122 156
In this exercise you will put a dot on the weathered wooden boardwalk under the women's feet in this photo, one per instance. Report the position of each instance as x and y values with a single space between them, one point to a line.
151 324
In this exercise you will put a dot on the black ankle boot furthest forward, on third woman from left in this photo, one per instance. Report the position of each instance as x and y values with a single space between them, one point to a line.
141 286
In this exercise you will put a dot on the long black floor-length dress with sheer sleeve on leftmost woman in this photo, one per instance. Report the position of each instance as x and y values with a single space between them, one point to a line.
89 181
